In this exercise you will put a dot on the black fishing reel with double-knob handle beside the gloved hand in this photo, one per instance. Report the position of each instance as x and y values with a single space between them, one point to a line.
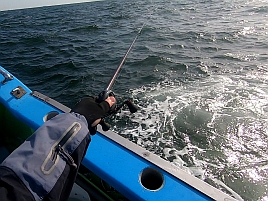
115 108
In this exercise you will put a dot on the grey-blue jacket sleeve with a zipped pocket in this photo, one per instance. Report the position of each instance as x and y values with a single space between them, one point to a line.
47 162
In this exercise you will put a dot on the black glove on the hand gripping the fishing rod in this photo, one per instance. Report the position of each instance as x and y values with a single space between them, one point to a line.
91 110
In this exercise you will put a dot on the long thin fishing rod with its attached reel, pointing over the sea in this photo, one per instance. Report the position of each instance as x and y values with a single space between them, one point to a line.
107 92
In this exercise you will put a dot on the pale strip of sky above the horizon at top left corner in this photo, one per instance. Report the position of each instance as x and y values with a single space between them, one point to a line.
13 4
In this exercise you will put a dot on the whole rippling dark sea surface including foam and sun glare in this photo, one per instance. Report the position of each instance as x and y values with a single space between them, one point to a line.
198 72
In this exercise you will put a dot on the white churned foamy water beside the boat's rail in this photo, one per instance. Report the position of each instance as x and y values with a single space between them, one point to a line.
209 127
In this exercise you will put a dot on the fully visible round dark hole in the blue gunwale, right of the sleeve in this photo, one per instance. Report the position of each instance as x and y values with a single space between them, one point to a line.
151 179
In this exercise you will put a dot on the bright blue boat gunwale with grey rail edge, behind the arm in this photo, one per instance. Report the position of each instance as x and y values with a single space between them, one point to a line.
130 169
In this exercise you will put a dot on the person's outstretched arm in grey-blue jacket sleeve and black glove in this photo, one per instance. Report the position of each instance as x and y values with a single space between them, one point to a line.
45 166
